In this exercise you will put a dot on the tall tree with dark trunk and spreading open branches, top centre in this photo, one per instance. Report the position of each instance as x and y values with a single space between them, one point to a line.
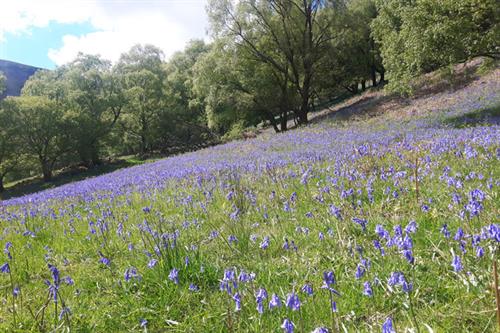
290 36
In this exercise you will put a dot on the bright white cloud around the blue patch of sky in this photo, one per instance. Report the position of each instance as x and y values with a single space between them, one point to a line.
119 24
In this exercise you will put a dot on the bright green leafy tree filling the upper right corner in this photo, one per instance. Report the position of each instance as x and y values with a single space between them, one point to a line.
421 36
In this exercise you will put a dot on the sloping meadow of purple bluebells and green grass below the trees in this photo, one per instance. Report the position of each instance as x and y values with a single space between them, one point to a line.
384 226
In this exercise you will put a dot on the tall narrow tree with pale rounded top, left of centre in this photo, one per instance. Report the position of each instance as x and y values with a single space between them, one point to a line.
142 76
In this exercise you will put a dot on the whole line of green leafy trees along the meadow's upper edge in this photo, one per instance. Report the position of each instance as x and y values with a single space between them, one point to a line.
269 61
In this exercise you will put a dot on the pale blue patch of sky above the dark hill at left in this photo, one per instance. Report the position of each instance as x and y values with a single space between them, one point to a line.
32 48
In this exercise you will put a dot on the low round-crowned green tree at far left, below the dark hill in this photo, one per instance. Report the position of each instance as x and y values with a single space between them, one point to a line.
41 131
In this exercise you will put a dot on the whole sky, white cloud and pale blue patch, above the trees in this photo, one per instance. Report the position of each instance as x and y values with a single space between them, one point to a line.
48 33
